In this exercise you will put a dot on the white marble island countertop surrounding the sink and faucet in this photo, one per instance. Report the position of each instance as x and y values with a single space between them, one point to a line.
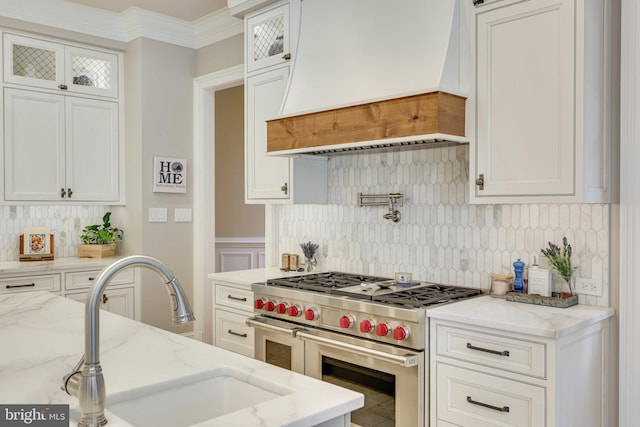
42 339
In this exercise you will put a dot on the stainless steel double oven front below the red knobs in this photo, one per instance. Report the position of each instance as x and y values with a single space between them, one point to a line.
391 378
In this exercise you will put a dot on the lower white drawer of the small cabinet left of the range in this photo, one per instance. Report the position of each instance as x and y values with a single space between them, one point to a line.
232 333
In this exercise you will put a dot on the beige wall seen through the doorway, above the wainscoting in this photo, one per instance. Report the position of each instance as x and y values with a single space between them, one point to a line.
233 217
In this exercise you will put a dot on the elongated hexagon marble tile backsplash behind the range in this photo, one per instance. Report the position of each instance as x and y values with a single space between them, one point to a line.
441 237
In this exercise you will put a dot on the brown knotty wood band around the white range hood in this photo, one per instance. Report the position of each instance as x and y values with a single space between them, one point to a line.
429 113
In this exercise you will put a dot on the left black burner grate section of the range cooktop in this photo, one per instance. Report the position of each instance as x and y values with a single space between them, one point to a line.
324 282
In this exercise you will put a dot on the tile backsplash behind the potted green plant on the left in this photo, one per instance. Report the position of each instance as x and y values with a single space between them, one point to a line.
65 222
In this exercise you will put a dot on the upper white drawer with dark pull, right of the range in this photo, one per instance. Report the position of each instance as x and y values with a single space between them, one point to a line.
496 351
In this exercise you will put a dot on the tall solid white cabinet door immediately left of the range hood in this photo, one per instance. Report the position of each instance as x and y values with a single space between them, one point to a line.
265 175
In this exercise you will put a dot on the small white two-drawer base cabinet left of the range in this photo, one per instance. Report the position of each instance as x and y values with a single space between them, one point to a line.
232 305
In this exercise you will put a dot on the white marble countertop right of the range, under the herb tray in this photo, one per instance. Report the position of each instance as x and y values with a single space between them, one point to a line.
523 318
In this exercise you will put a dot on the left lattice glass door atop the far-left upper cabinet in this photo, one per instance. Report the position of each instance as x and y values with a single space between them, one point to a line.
33 62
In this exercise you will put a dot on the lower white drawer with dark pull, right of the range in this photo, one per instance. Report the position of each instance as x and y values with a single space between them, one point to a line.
473 399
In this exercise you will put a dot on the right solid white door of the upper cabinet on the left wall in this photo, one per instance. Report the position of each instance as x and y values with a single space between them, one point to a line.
92 149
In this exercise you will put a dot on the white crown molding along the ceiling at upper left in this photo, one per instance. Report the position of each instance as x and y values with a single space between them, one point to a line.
126 26
